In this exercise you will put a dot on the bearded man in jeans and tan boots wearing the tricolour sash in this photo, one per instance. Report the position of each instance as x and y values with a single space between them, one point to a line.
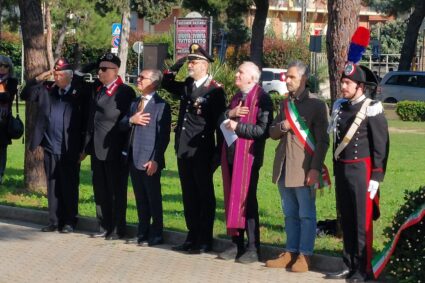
298 166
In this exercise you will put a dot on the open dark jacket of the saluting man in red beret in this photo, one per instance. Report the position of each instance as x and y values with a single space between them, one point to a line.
75 115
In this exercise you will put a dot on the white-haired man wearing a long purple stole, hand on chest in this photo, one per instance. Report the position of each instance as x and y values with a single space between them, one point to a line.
248 119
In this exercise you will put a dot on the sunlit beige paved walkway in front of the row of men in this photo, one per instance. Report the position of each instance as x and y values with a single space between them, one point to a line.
28 255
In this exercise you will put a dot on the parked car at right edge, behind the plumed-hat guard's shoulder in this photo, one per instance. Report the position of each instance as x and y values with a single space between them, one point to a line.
402 85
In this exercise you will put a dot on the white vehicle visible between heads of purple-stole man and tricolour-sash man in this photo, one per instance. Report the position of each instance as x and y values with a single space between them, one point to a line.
274 80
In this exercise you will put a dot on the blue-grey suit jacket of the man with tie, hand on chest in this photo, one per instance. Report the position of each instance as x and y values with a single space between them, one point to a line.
150 141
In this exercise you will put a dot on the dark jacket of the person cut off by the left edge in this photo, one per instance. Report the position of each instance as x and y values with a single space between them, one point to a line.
6 98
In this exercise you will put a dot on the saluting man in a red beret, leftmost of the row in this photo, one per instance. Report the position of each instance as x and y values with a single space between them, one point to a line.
60 128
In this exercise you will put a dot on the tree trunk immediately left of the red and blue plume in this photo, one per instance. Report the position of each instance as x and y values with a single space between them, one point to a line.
342 22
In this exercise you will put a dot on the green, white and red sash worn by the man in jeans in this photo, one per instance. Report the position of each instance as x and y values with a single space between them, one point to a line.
302 132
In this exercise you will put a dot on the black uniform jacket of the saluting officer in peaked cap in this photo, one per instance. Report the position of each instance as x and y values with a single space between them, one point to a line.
198 122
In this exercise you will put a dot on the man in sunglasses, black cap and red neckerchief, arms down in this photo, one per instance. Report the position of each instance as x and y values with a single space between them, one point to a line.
104 142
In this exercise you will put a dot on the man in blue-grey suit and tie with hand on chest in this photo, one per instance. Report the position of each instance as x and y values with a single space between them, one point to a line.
150 121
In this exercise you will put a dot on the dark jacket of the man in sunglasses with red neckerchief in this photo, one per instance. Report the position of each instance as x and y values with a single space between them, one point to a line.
104 138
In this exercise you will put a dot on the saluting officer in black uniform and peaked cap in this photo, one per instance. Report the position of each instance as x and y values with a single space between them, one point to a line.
202 100
